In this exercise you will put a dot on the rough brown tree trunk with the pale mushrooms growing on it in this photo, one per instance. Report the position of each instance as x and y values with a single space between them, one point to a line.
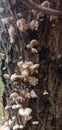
31 68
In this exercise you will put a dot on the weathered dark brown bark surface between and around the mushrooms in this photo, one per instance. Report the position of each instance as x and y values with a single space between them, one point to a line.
47 106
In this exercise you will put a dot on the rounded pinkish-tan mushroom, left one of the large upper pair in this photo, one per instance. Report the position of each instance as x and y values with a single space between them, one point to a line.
21 24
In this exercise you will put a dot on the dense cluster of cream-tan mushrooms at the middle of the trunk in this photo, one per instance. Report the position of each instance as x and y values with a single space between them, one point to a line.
27 69
